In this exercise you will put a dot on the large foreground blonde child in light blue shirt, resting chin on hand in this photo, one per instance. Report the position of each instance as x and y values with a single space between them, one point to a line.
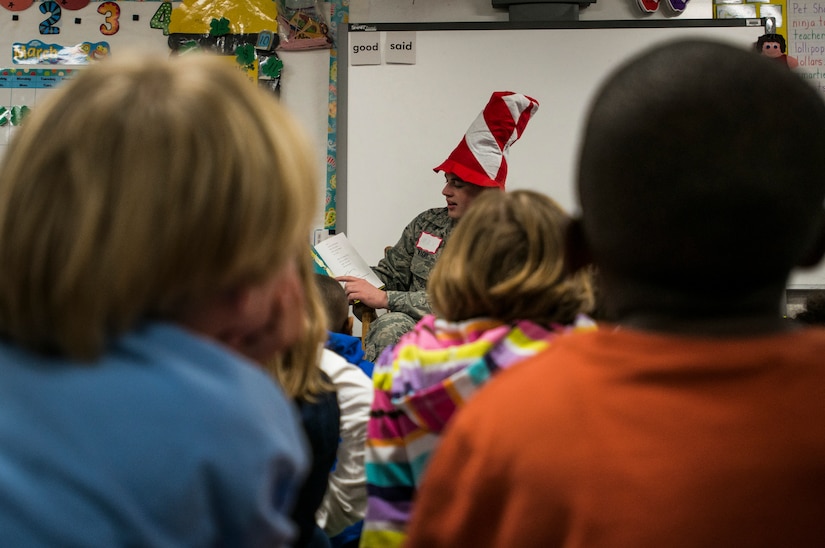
151 213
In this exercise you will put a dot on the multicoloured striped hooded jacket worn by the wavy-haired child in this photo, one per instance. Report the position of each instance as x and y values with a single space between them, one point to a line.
419 384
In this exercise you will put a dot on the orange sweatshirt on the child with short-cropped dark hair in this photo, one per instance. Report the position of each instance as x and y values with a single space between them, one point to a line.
623 438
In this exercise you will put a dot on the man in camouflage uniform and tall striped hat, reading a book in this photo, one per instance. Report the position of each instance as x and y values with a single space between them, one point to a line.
476 165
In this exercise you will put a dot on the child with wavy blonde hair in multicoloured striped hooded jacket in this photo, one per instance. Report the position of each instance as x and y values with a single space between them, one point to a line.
501 292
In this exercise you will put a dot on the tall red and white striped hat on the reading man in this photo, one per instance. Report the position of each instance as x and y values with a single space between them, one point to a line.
481 156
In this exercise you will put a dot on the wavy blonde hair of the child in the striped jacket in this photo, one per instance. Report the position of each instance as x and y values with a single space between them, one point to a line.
509 265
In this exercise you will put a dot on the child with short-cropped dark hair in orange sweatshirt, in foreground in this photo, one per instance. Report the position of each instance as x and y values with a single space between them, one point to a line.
695 418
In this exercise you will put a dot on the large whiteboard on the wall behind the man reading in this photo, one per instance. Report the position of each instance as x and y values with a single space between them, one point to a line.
396 122
